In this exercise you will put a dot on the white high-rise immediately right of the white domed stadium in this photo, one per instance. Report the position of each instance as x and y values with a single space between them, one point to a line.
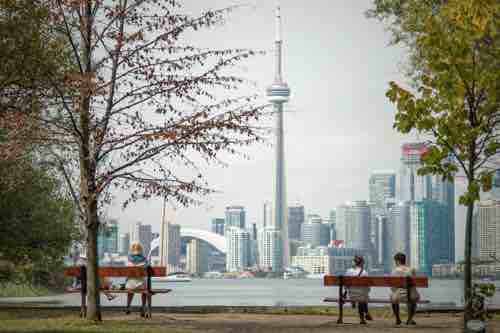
238 249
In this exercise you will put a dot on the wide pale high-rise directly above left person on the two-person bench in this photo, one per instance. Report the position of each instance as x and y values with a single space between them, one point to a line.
353 225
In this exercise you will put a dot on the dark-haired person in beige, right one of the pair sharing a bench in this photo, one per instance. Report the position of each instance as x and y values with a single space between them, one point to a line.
401 294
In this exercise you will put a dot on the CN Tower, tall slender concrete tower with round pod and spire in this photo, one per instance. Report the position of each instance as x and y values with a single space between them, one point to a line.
278 94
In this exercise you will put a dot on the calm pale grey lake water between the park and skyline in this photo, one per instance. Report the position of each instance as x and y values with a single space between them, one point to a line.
272 292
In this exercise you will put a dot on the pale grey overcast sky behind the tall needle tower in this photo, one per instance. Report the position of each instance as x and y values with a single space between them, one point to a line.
338 123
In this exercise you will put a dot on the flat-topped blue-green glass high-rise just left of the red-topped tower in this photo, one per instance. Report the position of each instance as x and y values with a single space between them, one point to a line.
382 186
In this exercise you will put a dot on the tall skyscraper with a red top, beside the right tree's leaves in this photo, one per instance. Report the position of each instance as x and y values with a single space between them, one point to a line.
411 185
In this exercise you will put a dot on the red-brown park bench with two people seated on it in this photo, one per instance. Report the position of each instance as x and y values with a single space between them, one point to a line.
373 281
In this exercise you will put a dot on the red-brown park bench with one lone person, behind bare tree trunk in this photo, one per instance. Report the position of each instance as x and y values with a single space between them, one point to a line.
129 272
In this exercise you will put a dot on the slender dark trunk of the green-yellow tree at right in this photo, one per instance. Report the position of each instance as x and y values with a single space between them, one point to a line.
468 265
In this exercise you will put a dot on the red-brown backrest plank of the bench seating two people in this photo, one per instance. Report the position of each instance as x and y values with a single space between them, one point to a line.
376 281
